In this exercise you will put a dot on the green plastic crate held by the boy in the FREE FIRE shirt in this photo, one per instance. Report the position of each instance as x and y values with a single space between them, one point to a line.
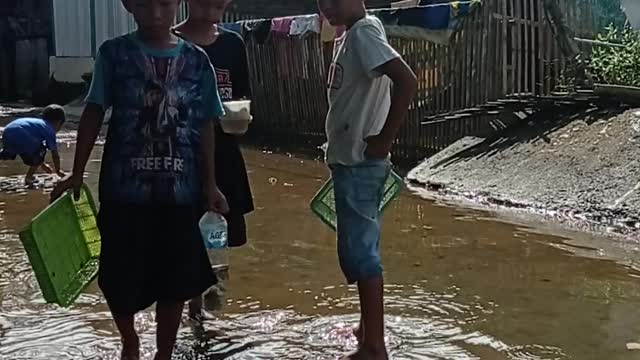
63 246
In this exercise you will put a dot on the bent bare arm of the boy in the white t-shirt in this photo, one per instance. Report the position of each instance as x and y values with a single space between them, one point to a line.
405 85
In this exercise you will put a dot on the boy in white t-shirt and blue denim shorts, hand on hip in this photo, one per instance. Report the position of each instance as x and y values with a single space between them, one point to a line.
370 91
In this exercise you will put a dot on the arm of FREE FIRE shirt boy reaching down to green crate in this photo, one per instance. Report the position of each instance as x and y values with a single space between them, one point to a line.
90 124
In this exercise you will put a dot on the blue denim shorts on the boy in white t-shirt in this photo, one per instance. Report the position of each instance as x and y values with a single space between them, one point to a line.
358 193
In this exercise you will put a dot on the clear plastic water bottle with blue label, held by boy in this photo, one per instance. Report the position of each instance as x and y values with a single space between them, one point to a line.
213 228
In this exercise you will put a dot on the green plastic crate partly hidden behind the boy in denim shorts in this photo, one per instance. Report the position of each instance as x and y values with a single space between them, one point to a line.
324 206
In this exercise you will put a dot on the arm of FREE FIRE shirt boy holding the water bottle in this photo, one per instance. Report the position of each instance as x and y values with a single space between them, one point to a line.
214 199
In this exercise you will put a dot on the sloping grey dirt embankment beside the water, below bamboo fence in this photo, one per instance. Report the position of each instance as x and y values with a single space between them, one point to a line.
583 167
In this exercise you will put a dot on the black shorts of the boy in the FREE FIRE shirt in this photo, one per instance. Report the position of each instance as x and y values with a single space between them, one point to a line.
151 254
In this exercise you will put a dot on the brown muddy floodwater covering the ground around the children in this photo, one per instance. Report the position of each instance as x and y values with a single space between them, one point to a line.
460 285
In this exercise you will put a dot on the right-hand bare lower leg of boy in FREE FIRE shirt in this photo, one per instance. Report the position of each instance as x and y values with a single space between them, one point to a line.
168 316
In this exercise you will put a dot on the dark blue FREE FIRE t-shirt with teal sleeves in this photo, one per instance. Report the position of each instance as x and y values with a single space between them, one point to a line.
160 100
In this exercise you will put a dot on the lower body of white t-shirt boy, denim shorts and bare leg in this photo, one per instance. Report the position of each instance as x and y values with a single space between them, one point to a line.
358 192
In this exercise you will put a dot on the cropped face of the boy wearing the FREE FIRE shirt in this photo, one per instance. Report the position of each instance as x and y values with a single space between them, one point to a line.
153 16
